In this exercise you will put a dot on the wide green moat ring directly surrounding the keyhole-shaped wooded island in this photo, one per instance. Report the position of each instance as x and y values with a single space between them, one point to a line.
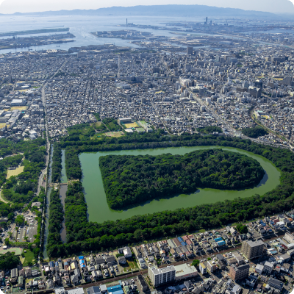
99 211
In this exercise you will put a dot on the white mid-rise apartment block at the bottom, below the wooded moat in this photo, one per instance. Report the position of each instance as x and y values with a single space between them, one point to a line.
159 276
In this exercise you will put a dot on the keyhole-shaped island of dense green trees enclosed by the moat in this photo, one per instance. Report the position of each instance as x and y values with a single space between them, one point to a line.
135 179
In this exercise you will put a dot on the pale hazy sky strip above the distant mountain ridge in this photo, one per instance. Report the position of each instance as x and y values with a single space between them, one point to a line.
11 6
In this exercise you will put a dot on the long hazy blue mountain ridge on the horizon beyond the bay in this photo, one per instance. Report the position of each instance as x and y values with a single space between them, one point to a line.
162 10
